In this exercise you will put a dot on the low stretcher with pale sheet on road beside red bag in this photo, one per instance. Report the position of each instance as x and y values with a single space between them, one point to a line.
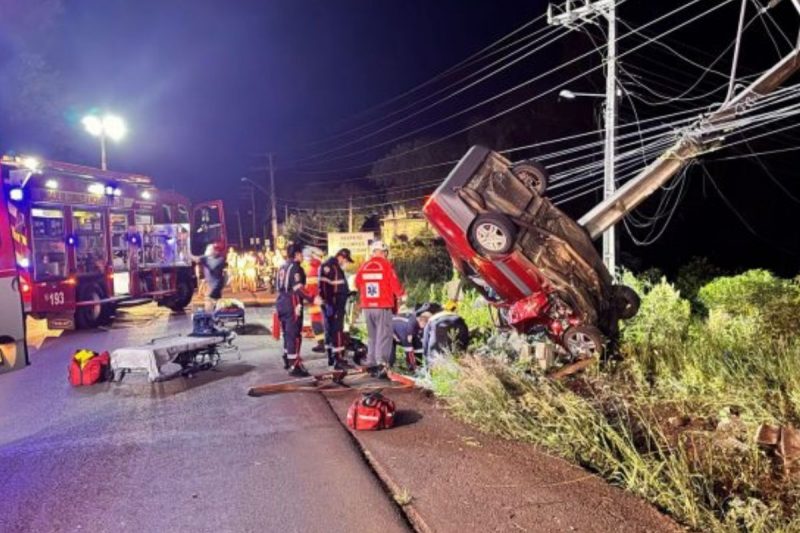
163 358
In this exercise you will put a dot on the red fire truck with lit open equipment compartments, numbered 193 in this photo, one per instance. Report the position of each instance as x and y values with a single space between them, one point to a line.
85 241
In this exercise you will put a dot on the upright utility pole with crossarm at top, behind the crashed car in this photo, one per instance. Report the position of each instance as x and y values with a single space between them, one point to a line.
568 16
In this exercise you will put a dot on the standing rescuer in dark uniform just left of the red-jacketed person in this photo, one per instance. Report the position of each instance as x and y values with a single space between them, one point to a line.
334 291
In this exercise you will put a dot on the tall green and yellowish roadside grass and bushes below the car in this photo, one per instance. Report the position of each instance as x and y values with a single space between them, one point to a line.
674 421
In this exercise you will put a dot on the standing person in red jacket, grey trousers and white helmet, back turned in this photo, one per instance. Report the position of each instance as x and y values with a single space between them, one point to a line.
380 293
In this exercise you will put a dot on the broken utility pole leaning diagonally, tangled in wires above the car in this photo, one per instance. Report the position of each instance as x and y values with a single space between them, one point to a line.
691 144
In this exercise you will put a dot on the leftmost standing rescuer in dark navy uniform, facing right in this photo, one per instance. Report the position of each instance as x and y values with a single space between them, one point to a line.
291 295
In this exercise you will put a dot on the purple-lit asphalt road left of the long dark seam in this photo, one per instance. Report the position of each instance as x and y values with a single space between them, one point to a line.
193 455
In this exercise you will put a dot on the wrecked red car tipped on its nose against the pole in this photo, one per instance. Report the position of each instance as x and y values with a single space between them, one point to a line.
525 255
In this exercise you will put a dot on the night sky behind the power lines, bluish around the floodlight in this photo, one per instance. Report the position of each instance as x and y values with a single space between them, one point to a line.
207 85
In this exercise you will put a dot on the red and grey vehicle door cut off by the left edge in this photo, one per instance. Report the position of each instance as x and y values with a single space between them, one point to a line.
13 349
